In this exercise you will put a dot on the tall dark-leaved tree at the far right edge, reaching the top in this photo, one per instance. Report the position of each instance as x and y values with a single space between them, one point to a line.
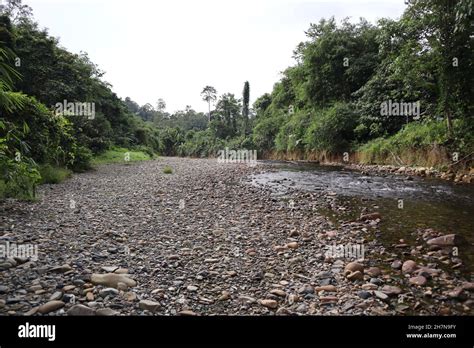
445 27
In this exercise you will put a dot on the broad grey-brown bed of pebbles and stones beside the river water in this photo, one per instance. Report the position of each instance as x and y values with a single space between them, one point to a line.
205 240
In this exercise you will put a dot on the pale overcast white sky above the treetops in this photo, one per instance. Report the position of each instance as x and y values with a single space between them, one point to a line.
171 49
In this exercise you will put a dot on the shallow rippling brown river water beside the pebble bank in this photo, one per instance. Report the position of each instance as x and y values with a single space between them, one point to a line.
406 205
